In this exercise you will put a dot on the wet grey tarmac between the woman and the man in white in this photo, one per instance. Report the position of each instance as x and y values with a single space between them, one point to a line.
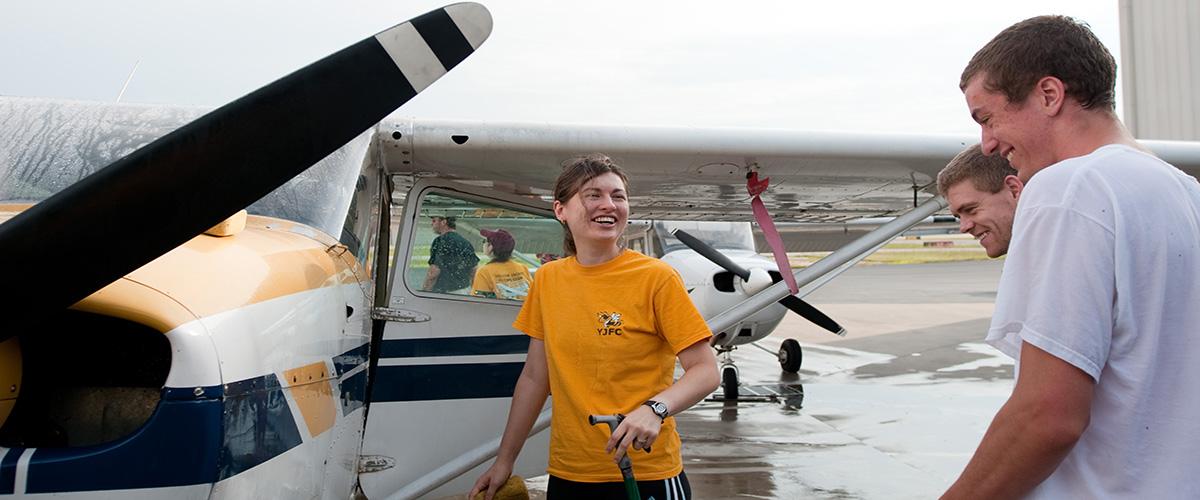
892 412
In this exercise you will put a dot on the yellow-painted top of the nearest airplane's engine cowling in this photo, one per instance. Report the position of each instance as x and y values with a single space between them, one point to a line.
209 275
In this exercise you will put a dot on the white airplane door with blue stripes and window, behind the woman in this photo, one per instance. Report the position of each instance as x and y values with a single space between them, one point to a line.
449 359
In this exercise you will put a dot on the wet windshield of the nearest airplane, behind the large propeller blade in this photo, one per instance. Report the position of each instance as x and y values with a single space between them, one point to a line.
74 140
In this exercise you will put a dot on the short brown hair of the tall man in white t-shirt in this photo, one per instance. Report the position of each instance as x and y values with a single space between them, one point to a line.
1047 46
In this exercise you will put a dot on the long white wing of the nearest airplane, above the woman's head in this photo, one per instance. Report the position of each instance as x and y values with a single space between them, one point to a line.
682 173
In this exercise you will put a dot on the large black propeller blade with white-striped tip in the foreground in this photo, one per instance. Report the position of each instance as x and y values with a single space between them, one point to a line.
159 197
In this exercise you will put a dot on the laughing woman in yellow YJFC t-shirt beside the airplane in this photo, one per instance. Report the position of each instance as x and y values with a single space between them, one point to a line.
607 328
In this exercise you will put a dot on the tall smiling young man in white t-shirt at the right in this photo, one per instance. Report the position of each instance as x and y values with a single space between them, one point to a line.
1100 300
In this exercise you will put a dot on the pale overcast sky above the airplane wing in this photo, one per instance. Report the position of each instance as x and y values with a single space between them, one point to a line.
873 65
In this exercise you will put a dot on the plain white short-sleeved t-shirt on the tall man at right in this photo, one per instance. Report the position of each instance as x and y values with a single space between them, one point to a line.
1105 274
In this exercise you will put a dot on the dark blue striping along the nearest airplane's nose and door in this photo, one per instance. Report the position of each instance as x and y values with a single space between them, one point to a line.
212 435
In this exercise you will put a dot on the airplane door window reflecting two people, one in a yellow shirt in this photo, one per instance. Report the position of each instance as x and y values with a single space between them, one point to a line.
479 250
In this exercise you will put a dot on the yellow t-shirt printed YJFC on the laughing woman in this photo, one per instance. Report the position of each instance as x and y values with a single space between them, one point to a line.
613 333
